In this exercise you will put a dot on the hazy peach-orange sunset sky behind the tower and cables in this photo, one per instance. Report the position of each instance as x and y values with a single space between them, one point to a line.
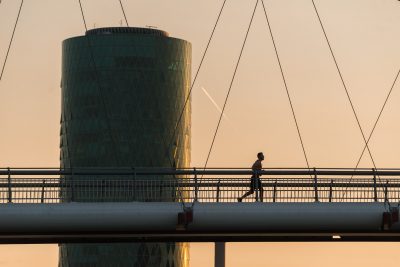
364 36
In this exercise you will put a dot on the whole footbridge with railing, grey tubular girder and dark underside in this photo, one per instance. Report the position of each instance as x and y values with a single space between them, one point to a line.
138 204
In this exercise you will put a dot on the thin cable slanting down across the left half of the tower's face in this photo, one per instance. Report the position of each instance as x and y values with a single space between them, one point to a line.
99 86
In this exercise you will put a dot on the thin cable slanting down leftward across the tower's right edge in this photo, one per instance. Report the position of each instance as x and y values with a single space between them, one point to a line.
194 81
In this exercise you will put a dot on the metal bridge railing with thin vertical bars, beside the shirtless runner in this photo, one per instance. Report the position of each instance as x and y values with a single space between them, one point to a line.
189 185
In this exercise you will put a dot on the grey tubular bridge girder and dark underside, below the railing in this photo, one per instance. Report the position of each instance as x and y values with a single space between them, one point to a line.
212 222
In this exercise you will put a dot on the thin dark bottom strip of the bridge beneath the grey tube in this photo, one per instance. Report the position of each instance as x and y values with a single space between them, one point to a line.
193 237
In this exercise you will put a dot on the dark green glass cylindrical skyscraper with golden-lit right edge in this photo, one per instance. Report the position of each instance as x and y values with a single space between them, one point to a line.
123 90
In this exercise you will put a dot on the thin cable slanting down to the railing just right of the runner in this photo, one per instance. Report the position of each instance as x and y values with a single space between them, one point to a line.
286 87
